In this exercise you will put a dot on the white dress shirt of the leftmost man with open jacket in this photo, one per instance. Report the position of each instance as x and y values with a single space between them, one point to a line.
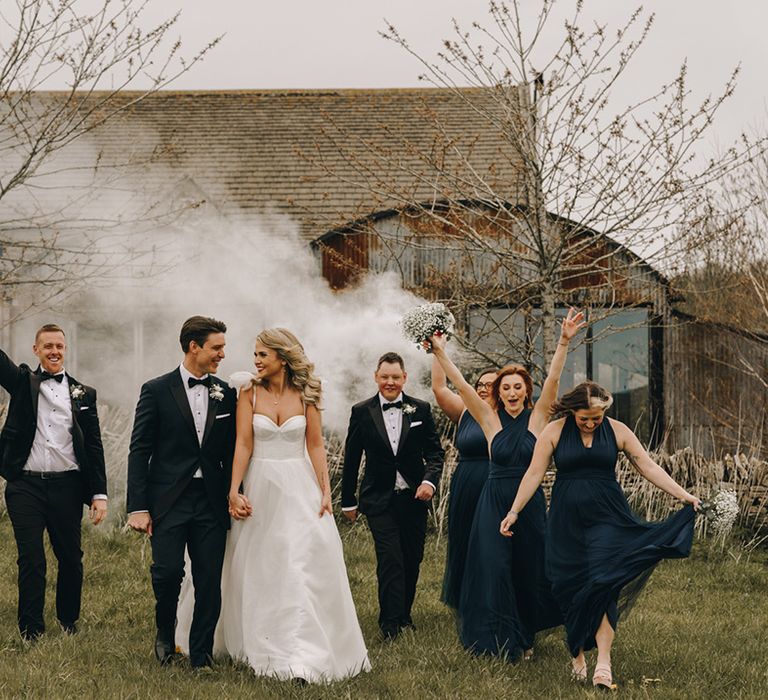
52 449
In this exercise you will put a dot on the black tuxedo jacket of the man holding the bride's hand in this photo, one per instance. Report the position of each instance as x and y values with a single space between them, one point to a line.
165 452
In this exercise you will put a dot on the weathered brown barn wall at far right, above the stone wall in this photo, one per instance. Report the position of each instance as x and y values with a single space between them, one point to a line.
711 401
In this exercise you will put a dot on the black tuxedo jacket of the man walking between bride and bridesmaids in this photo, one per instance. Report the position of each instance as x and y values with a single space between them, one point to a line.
419 454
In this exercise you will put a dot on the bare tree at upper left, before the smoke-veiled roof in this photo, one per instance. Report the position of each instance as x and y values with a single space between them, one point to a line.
63 214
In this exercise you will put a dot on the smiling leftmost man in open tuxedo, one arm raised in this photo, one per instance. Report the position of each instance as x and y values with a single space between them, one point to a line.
52 456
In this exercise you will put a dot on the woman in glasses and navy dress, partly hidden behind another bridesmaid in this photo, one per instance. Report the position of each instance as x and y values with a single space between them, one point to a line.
468 478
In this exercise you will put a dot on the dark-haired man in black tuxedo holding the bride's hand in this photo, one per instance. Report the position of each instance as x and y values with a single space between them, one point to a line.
178 477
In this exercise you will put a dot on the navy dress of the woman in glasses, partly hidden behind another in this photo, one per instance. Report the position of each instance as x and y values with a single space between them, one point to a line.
466 484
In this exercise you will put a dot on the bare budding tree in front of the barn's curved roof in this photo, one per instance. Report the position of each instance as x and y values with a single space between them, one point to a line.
582 198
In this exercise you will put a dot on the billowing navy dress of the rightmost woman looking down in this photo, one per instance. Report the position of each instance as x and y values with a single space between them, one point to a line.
599 553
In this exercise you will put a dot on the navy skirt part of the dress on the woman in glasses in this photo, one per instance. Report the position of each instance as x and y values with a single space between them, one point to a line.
466 485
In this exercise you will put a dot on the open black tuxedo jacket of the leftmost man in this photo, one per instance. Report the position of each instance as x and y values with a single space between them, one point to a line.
18 433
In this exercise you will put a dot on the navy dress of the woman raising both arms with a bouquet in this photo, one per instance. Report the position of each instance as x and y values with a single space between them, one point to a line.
505 598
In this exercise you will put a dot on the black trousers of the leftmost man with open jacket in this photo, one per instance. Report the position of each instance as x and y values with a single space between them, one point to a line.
34 506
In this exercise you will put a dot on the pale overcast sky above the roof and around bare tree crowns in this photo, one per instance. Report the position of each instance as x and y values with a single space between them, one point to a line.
335 43
